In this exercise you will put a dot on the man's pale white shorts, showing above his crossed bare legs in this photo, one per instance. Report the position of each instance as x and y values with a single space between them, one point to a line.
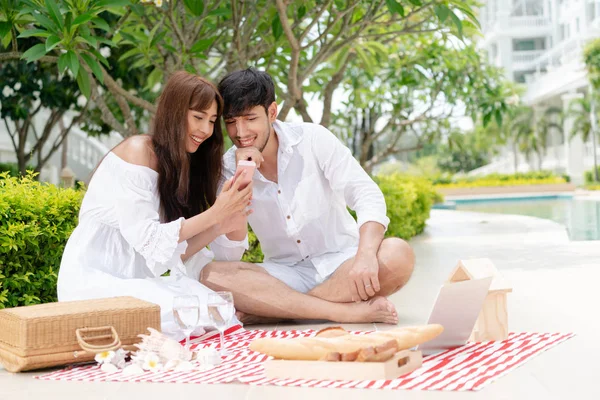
303 276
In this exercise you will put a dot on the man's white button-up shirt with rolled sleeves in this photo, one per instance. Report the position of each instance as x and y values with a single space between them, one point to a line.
304 215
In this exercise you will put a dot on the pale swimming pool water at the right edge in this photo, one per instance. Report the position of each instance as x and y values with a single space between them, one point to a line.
581 217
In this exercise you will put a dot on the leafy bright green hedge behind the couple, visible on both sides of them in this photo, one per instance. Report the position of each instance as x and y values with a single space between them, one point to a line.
36 219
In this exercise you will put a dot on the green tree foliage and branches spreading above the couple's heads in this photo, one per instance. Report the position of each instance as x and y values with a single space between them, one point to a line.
411 54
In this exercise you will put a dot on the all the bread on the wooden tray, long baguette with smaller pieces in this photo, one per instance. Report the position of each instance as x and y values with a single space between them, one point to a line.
335 345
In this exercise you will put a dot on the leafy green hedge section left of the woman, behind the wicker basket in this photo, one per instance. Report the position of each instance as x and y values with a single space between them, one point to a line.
36 220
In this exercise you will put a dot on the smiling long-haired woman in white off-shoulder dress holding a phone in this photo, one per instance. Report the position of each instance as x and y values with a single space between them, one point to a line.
152 206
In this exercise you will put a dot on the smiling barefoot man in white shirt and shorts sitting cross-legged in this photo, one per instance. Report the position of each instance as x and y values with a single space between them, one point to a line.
319 262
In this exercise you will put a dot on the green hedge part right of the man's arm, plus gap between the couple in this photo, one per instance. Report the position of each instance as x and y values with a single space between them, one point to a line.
409 200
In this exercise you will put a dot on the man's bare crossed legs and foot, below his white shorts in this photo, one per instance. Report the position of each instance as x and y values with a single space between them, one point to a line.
261 297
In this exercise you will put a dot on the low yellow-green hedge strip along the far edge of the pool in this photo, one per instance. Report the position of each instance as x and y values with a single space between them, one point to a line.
521 178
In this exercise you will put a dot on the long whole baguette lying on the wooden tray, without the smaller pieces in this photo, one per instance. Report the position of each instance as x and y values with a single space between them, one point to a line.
318 348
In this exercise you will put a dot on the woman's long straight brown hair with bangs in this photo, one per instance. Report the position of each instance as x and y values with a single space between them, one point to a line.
187 183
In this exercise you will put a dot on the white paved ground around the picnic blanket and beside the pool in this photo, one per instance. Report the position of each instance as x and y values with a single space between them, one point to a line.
556 289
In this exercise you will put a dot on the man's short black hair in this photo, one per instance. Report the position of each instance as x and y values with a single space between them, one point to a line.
245 89
